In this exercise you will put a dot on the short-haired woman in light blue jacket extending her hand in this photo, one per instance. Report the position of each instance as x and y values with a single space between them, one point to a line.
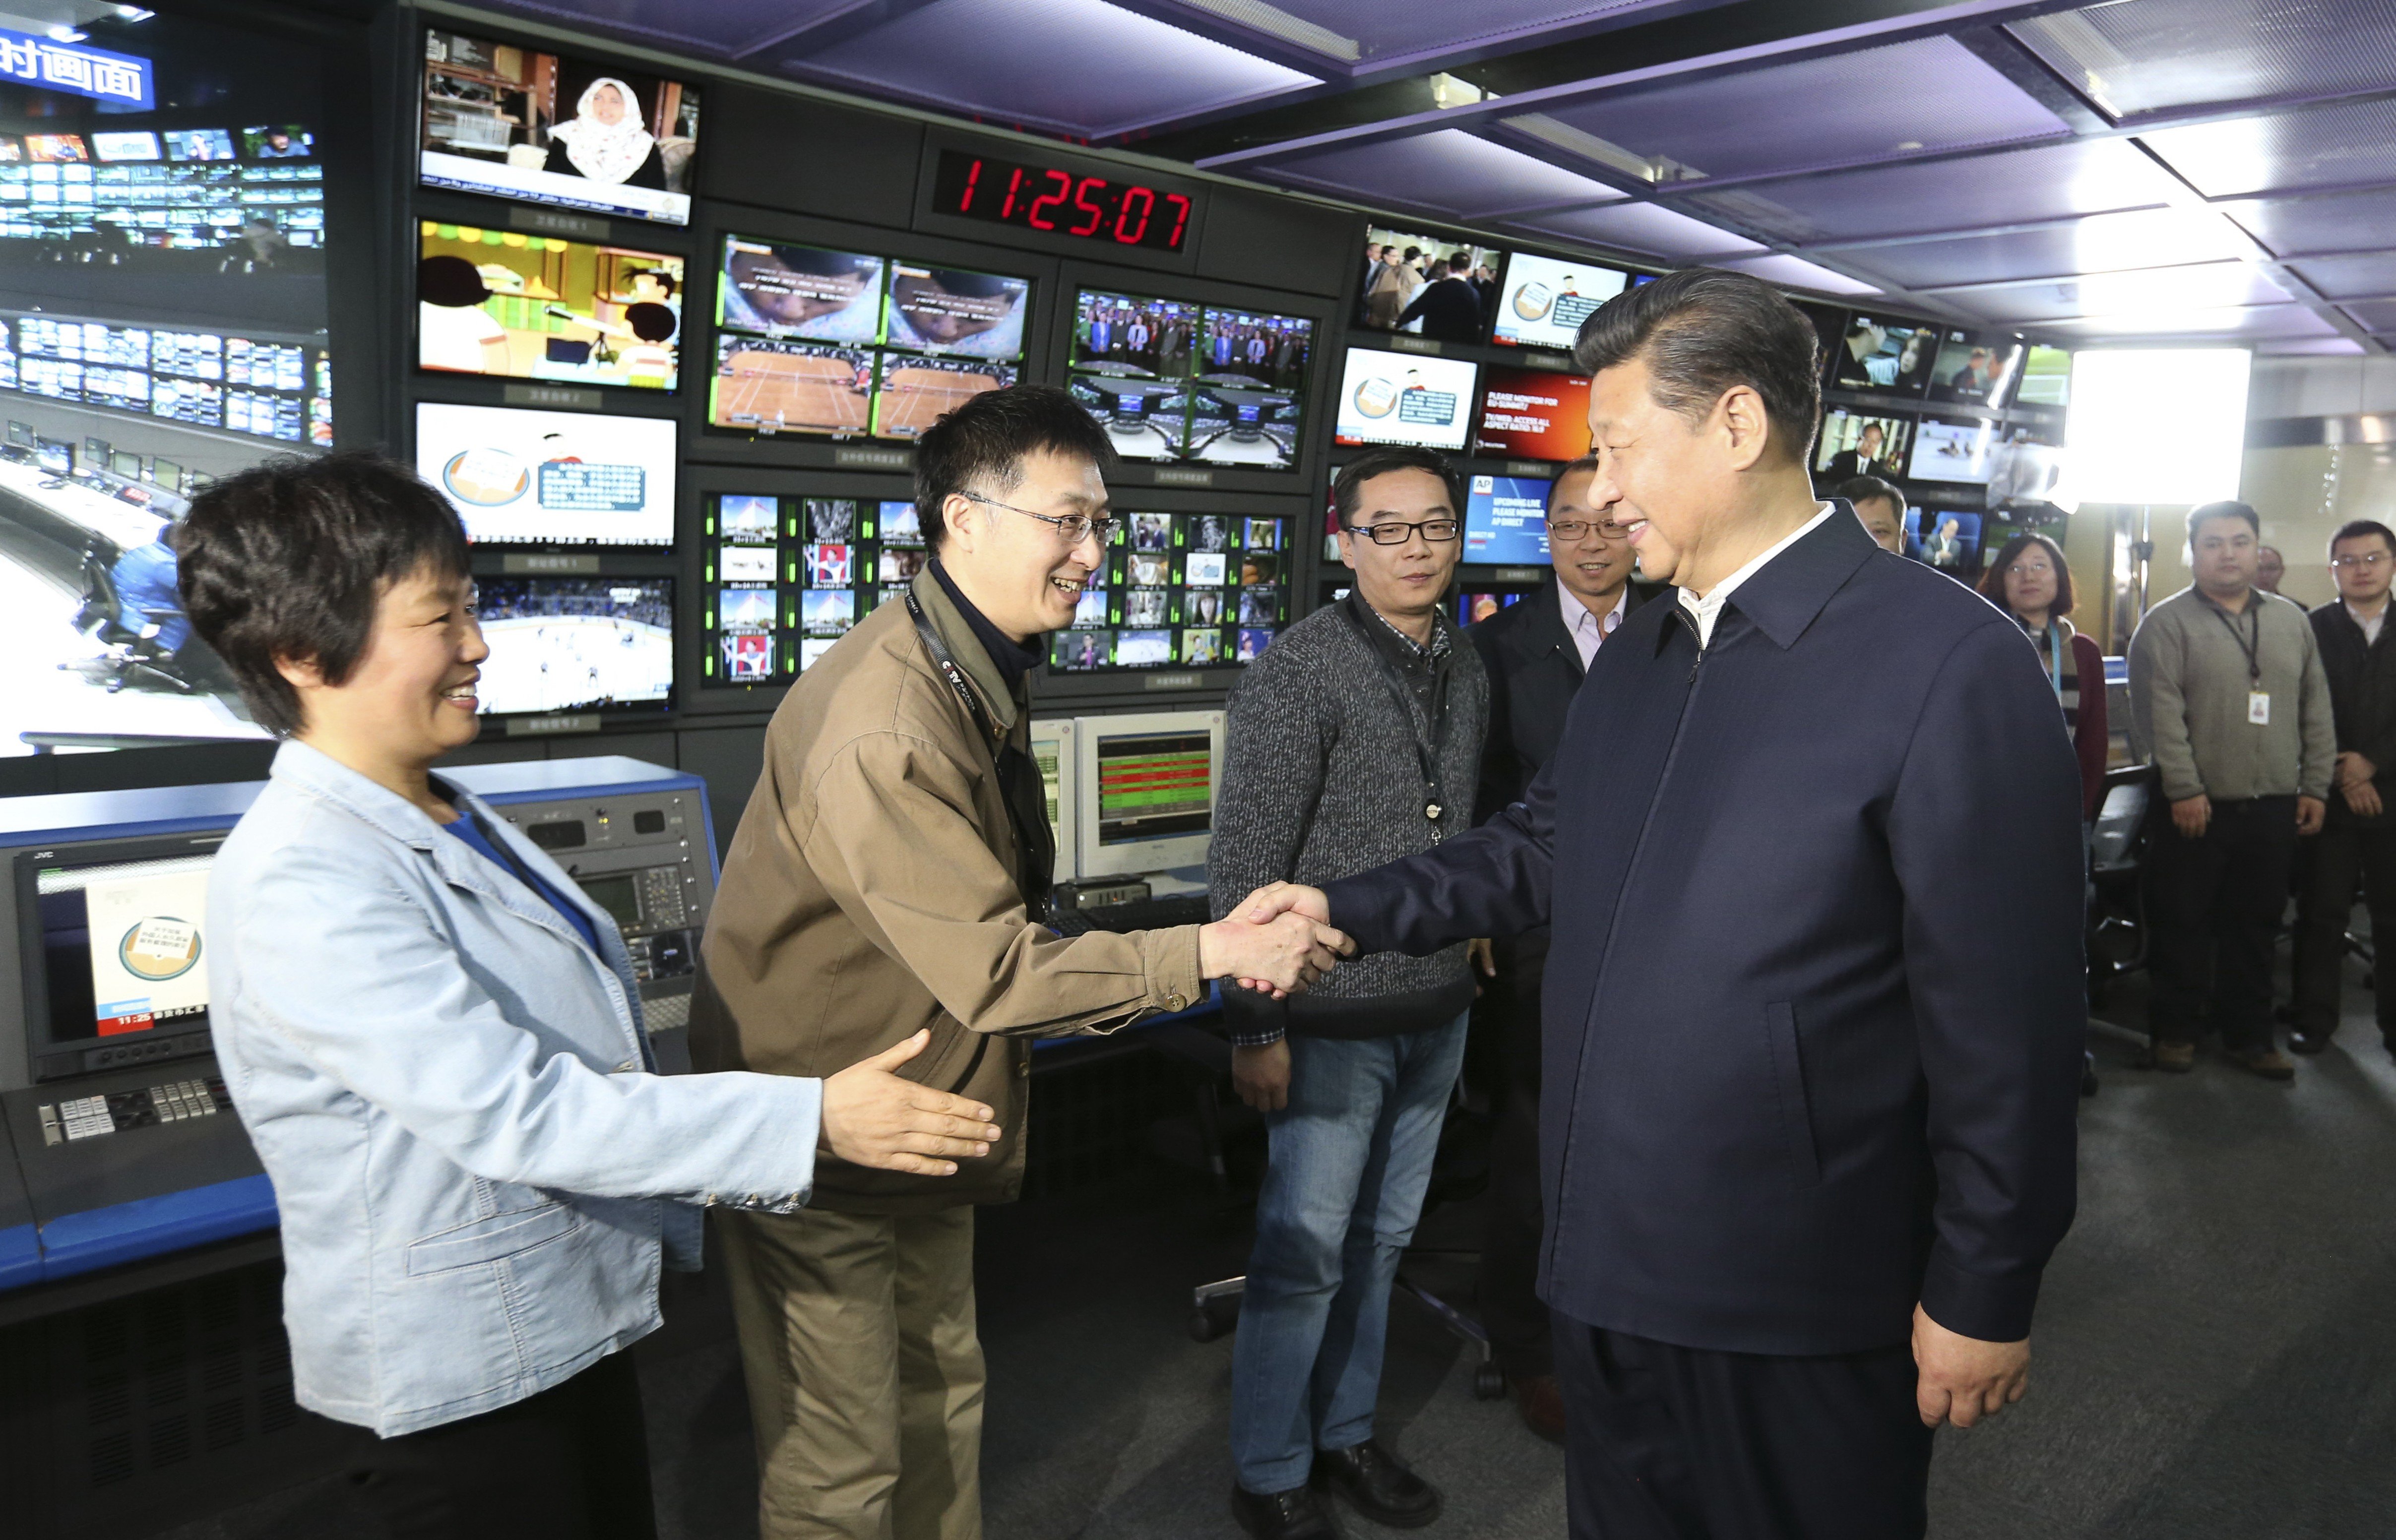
435 1041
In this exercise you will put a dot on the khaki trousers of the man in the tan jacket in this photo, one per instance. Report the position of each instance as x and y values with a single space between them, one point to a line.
864 1374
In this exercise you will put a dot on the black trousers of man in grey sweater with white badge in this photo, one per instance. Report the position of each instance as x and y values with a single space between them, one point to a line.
2215 907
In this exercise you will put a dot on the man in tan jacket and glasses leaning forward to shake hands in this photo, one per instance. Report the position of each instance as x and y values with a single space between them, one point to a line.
888 878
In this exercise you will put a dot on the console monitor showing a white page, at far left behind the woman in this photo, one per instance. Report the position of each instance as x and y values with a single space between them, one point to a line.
114 950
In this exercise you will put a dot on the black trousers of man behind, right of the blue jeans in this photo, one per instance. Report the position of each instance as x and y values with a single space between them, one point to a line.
1508 1295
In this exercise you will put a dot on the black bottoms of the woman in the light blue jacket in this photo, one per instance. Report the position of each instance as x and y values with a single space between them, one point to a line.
567 1465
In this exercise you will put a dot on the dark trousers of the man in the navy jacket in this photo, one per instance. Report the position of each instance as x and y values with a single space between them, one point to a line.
1698 1445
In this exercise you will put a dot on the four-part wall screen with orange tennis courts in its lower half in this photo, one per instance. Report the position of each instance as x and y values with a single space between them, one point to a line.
857 344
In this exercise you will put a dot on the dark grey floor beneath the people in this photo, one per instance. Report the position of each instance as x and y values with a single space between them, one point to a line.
2215 1352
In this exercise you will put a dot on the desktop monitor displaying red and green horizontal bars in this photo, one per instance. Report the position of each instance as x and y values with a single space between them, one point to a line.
1146 792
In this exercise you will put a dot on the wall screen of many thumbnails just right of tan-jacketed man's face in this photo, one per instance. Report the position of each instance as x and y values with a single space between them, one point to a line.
1180 590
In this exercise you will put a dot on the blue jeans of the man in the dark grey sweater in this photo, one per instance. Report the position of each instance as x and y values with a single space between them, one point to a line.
1345 1187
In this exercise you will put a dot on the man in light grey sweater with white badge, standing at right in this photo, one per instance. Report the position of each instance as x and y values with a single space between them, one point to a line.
2229 701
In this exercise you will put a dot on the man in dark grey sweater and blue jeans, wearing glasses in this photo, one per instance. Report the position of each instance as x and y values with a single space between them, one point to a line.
1355 741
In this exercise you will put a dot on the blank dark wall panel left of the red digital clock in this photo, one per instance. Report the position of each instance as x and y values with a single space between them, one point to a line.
785 152
